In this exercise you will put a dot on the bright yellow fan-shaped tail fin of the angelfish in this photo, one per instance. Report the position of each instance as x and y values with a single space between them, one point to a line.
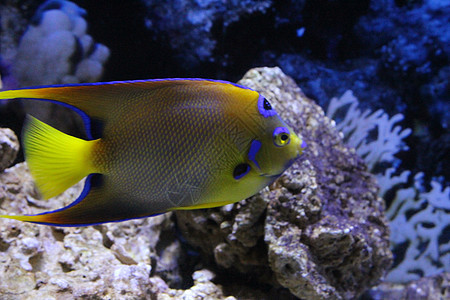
56 160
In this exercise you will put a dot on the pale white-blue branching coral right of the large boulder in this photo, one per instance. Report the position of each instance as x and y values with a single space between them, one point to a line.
419 220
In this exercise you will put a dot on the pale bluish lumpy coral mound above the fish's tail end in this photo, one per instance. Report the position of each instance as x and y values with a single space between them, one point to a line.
56 48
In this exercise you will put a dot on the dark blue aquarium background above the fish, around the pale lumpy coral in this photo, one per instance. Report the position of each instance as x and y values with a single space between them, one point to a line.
392 54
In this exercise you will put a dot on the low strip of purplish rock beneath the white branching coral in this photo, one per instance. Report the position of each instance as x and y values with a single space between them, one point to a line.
433 288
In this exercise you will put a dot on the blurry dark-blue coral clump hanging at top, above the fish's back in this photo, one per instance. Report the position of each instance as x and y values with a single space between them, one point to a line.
192 36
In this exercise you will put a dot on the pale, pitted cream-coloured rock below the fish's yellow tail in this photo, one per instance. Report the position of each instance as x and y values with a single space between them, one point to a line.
110 261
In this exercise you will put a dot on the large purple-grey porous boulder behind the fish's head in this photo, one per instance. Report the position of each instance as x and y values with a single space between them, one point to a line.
320 229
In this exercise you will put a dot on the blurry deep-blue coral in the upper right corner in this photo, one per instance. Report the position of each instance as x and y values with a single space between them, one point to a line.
414 41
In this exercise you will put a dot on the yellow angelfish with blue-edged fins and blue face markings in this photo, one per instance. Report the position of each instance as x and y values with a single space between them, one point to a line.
154 146
